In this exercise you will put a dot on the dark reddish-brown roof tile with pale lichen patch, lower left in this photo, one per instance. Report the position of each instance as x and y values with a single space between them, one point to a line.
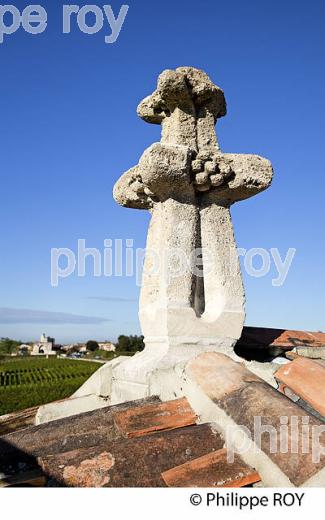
132 462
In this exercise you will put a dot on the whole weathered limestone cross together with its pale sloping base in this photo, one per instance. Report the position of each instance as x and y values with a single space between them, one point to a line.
188 185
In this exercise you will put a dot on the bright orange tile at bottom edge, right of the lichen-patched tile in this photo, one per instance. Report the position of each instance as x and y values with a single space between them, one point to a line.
212 470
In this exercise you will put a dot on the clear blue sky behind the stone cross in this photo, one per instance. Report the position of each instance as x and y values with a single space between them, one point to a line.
69 129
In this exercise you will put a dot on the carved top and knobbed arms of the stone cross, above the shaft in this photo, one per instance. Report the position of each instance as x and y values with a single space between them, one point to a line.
187 162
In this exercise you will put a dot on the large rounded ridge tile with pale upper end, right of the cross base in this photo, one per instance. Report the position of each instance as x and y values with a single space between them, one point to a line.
244 396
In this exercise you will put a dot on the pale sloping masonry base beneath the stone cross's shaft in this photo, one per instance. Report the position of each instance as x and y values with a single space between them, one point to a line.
129 378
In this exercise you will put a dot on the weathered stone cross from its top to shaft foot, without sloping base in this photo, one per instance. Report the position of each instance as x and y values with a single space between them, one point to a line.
188 185
